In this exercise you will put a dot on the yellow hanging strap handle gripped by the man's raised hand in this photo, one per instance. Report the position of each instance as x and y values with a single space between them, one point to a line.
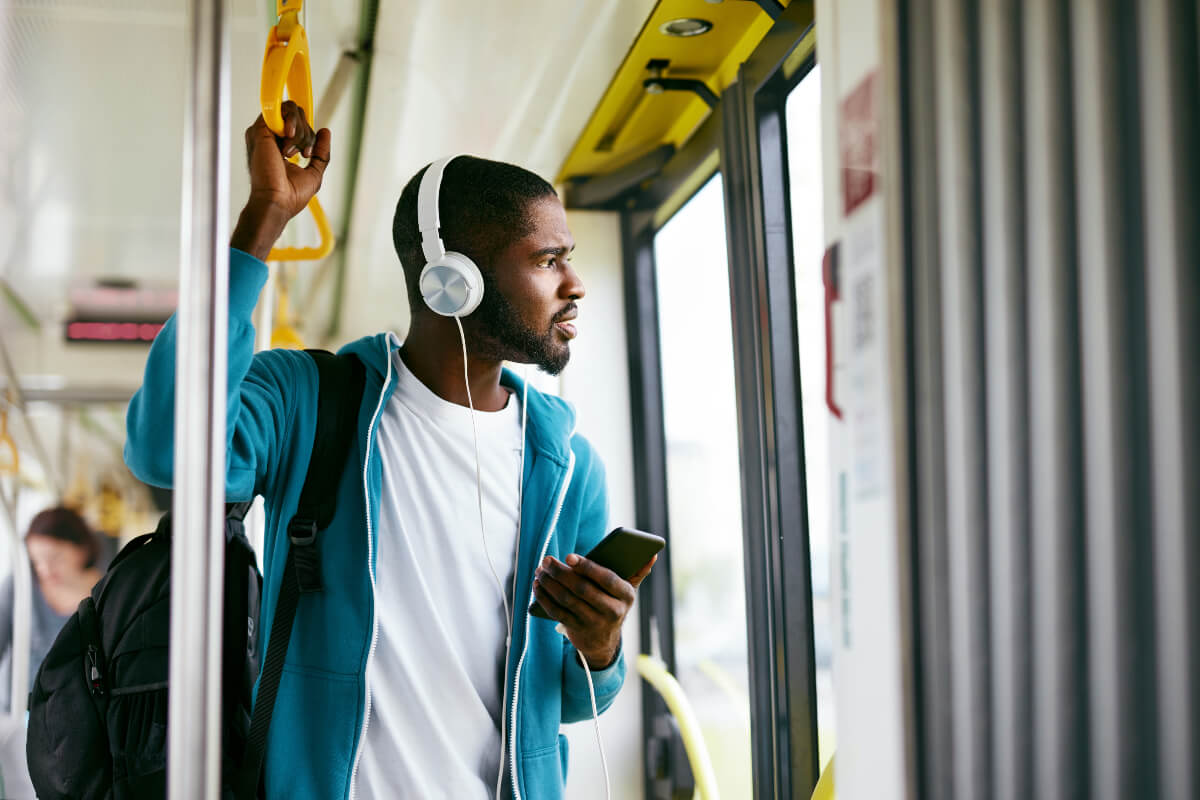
286 65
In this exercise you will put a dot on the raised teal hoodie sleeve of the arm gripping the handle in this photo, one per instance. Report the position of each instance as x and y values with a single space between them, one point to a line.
257 400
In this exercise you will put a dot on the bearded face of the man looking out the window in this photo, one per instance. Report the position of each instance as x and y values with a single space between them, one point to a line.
530 293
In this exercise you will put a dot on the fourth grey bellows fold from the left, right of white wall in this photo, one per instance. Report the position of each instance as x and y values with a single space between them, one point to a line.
1060 732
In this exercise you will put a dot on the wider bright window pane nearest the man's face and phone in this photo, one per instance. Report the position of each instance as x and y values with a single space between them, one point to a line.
704 482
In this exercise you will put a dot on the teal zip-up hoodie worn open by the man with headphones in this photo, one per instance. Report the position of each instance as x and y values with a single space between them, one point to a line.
323 707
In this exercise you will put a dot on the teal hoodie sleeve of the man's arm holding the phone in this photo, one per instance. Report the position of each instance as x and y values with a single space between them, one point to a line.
608 682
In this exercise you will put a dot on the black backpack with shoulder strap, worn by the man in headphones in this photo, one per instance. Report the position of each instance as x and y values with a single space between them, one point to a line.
98 714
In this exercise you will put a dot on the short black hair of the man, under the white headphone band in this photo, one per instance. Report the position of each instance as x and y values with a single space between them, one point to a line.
485 208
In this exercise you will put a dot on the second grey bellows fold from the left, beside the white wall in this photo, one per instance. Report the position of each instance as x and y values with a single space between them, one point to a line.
962 341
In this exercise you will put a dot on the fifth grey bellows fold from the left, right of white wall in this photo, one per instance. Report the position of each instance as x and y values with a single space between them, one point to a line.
1113 374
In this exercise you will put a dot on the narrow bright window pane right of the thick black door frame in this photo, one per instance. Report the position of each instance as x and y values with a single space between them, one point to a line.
803 121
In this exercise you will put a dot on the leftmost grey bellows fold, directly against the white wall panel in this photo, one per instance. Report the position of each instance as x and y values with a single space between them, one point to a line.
937 759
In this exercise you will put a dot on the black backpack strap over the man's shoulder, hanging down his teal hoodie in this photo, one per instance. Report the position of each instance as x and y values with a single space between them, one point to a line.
340 394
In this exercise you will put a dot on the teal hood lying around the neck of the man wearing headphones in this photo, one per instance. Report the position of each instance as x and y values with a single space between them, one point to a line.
551 420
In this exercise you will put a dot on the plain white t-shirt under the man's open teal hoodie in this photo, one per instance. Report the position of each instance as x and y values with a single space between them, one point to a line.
437 672
